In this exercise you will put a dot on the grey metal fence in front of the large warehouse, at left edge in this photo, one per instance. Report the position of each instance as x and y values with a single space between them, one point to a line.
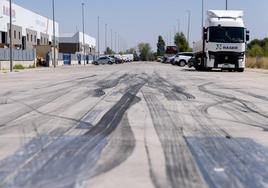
18 55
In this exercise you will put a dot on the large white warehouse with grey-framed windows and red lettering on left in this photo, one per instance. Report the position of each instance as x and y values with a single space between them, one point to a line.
28 28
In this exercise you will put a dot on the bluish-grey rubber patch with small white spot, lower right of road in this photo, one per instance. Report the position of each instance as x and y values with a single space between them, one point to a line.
235 163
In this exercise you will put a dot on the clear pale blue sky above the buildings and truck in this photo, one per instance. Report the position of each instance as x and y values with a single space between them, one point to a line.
144 20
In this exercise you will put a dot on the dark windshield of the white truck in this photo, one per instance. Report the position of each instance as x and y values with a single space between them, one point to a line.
227 34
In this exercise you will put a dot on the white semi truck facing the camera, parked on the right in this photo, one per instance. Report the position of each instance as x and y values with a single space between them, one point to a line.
224 42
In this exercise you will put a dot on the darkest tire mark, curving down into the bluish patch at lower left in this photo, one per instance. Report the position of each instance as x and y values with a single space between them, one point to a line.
75 157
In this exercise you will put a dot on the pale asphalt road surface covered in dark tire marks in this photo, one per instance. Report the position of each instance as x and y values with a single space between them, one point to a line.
139 125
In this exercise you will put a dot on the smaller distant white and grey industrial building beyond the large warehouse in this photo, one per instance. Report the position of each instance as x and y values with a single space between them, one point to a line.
74 43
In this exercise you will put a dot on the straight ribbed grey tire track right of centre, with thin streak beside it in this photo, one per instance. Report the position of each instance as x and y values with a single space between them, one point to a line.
180 166
